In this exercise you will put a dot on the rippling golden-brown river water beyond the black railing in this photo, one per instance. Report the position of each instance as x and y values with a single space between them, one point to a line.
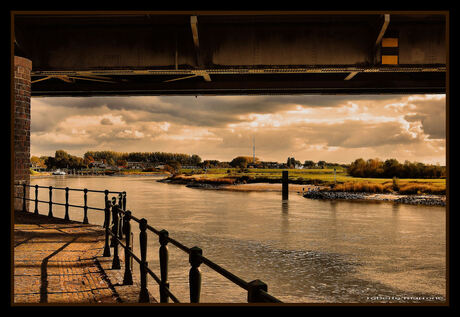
306 251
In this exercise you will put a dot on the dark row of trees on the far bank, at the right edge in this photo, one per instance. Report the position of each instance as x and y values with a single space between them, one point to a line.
390 168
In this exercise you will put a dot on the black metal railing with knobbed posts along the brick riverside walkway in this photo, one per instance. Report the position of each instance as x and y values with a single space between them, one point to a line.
120 235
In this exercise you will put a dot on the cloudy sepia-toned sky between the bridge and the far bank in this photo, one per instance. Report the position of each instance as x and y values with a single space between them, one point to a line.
333 128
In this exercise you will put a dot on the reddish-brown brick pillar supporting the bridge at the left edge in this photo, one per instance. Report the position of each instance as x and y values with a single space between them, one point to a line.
22 85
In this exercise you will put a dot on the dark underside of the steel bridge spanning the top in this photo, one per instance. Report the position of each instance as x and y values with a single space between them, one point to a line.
195 53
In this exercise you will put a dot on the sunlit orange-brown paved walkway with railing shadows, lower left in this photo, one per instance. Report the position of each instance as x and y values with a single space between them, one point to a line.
57 261
